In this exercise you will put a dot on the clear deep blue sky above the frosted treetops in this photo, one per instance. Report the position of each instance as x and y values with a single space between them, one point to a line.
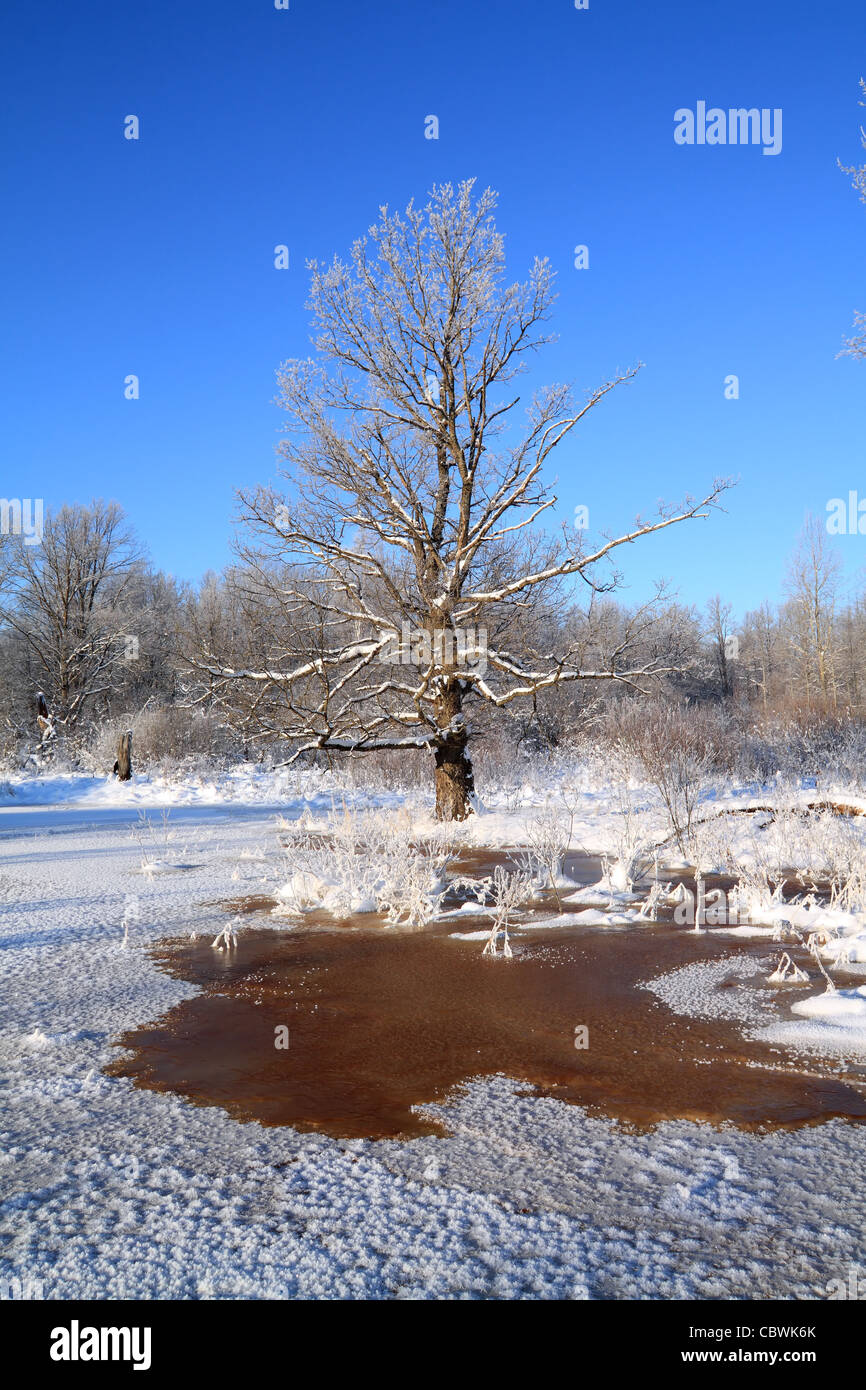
263 127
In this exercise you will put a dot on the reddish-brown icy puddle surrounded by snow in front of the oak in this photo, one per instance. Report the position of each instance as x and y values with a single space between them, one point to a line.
383 1021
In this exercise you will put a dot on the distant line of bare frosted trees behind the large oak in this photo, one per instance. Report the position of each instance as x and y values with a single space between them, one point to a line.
94 641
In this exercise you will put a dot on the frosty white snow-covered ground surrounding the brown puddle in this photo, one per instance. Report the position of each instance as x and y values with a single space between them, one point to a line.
109 1192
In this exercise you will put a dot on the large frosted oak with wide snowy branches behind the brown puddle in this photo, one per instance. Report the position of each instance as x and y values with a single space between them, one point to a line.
415 498
